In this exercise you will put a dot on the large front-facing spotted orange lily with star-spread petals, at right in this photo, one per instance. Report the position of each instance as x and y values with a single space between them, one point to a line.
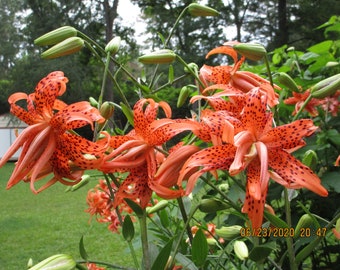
264 152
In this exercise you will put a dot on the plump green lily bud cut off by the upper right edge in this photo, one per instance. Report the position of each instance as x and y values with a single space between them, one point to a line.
326 87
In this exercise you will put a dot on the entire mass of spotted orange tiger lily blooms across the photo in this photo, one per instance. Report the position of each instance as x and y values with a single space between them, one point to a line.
234 131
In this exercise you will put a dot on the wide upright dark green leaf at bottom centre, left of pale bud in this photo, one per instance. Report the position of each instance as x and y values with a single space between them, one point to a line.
200 248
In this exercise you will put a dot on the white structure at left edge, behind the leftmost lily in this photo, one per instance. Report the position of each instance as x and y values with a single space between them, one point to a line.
8 127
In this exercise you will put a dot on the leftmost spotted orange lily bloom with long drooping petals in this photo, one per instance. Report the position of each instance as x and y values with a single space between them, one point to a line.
48 144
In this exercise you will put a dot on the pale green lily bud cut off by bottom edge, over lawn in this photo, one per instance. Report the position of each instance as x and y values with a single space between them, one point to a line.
56 262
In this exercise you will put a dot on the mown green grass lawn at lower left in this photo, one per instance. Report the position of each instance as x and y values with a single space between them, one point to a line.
38 226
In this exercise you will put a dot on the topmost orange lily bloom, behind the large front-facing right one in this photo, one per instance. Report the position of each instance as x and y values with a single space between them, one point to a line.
231 75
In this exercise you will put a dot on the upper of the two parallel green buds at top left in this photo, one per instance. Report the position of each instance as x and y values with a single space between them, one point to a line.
56 36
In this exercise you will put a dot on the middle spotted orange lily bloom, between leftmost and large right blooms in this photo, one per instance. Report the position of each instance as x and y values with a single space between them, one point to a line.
137 151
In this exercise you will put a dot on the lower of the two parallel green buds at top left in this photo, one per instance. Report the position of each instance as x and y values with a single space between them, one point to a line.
66 47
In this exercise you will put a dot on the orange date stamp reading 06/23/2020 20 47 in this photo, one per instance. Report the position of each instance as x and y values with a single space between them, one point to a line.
282 232
